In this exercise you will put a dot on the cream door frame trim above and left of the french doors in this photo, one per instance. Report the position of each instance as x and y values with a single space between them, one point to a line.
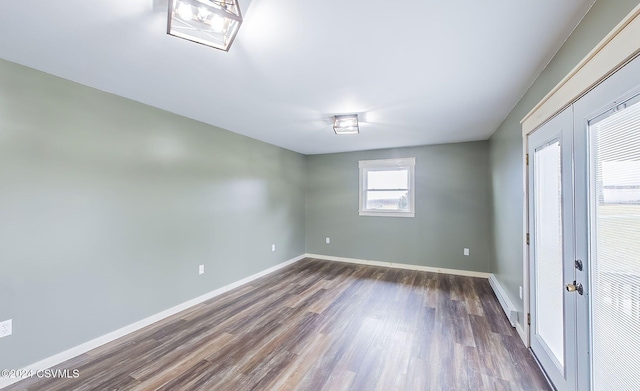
616 49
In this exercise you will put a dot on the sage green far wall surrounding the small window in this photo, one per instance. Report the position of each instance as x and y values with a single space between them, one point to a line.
453 204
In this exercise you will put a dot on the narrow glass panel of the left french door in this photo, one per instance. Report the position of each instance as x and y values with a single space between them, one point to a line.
548 250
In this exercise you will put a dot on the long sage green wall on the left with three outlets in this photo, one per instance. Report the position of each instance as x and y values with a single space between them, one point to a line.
108 206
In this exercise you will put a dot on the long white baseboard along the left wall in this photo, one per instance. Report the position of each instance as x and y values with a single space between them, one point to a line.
94 343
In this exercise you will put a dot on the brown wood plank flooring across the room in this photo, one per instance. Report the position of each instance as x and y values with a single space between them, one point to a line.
320 325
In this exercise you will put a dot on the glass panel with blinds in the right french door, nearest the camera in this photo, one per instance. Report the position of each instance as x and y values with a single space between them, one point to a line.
615 250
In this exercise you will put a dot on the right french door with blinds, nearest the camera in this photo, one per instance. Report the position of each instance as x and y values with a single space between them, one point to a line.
607 166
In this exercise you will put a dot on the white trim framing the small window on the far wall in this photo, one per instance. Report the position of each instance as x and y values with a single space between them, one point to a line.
364 165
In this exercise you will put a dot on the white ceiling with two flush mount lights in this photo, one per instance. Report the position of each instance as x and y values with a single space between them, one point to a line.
417 71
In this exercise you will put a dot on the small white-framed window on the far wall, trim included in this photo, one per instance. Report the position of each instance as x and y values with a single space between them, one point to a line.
387 187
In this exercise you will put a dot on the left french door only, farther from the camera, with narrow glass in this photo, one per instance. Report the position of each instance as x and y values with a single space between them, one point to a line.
552 307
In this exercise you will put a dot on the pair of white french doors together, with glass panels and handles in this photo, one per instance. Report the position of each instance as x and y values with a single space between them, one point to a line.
584 224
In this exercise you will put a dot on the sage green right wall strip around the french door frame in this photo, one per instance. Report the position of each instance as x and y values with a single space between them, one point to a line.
506 143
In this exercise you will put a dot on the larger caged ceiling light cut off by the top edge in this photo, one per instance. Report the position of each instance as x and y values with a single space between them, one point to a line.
213 23
